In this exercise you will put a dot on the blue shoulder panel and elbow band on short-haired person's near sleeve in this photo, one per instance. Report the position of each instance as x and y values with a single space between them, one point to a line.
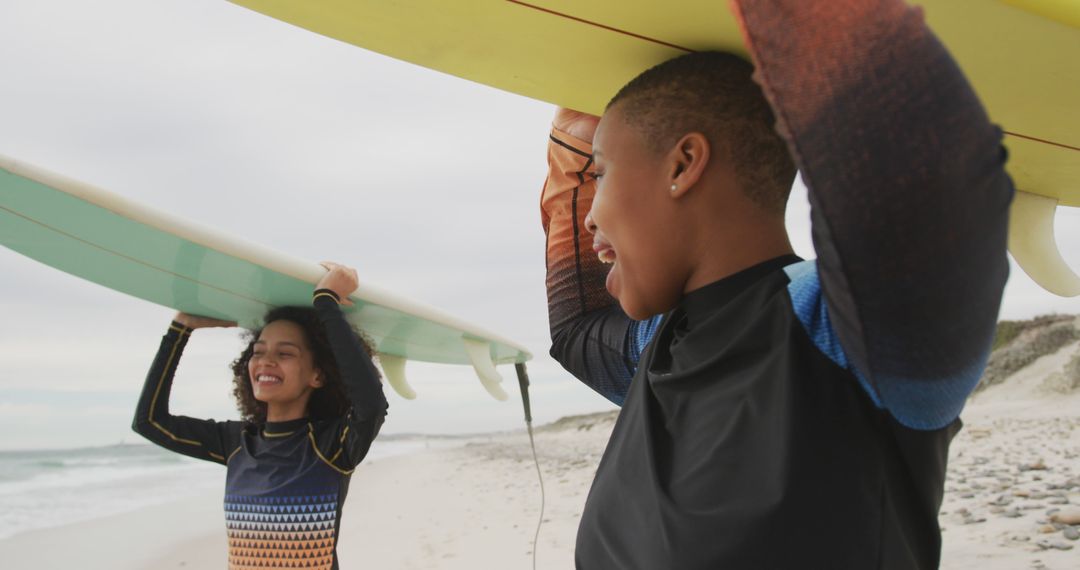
921 404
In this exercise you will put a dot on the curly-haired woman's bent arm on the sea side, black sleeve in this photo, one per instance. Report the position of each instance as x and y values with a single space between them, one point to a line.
207 440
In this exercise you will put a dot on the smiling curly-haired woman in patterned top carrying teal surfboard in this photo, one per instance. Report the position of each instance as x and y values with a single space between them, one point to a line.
312 404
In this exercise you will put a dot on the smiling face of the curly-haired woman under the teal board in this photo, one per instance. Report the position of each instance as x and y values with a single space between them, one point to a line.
282 369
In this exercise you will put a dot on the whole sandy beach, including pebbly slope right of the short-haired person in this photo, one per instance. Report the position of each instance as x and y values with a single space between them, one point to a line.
1015 473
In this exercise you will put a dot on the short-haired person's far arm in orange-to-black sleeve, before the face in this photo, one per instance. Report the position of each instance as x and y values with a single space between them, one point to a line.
591 336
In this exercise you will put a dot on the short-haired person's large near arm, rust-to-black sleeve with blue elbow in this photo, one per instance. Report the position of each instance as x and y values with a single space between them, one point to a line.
908 186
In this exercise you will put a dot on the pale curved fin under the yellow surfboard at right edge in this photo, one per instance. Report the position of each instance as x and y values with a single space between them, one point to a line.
1033 246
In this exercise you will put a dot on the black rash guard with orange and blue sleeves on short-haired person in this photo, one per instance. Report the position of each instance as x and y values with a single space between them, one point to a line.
799 414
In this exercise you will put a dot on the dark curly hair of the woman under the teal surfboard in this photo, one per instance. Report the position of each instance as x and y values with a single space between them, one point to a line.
331 401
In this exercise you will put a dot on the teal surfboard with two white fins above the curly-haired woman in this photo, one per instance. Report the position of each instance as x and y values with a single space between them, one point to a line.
110 240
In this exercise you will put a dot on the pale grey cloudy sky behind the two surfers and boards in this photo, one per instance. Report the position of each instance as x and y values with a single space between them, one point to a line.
428 184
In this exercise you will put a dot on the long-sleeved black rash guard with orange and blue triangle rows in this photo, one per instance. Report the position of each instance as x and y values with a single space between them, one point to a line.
287 482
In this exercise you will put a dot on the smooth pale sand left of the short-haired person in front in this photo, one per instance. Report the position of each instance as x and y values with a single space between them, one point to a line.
472 506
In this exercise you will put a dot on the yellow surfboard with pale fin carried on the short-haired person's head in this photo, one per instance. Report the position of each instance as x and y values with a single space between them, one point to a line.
1023 58
